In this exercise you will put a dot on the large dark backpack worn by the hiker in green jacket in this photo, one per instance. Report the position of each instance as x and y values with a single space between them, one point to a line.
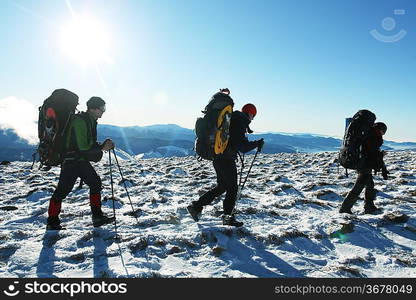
54 117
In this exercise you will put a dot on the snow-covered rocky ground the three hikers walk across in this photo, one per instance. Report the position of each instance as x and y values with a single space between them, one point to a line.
289 206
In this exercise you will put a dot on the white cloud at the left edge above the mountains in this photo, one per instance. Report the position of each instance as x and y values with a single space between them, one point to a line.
21 116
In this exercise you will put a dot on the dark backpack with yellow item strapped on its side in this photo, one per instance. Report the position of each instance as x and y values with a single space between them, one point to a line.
212 130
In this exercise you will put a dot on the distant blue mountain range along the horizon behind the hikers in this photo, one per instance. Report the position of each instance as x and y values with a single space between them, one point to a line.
172 140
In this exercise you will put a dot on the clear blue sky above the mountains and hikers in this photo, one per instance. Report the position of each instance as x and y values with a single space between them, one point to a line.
305 64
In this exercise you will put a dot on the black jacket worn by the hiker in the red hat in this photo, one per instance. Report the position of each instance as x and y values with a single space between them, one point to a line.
238 140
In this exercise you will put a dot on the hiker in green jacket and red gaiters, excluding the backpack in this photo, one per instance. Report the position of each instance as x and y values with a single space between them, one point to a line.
81 147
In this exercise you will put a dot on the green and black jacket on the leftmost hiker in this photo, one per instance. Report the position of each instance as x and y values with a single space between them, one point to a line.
81 140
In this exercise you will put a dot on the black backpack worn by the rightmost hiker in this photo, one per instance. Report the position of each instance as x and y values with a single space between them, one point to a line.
351 155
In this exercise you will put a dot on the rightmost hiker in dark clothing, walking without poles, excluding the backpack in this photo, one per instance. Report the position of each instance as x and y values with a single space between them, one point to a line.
373 161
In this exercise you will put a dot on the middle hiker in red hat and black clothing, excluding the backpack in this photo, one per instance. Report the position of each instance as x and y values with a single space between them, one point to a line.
226 169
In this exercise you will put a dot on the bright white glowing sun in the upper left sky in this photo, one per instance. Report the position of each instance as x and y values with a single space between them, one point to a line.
85 40
